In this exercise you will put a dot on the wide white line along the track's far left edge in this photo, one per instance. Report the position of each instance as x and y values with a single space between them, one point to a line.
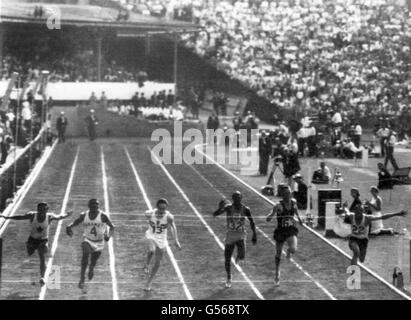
21 193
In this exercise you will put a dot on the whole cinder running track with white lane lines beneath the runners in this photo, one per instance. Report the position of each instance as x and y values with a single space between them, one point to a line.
122 175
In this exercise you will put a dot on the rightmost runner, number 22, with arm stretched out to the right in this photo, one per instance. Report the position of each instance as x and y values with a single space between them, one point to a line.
360 227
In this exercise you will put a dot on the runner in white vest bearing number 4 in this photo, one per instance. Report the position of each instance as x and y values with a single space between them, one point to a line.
95 223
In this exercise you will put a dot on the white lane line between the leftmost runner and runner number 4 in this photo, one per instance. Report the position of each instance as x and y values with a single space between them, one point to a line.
58 229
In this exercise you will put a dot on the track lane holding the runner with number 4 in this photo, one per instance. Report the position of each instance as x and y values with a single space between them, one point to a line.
87 184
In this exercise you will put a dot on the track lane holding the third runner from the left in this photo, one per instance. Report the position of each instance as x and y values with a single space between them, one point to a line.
129 241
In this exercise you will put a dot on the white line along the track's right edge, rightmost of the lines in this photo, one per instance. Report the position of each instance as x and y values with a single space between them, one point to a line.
374 274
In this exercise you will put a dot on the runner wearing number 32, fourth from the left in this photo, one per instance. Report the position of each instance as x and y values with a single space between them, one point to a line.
236 234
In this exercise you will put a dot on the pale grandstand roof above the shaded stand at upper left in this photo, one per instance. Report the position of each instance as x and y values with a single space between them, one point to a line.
90 16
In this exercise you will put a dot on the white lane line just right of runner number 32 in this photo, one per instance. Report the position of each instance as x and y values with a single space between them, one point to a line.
220 244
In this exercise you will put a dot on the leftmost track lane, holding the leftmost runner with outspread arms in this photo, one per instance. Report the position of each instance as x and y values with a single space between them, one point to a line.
20 274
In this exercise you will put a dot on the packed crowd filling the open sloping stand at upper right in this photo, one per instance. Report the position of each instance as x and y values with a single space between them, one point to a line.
312 55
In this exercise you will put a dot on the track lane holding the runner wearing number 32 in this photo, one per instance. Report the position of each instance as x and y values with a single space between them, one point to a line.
202 262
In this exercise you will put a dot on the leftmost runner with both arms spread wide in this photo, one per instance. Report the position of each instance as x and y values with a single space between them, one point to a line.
38 240
